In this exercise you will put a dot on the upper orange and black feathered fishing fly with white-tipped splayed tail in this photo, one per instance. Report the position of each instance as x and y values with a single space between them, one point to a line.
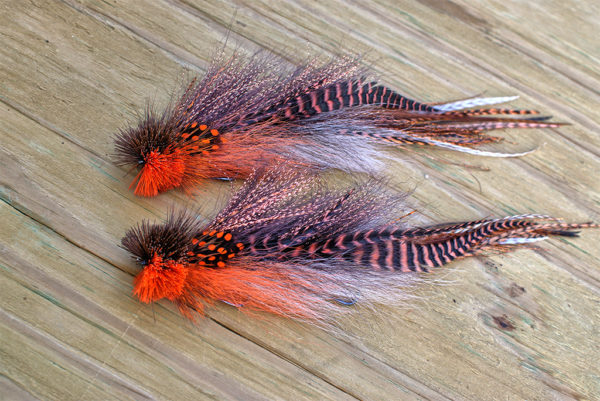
246 113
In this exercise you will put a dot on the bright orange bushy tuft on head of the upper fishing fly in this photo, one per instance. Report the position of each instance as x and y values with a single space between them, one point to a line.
161 172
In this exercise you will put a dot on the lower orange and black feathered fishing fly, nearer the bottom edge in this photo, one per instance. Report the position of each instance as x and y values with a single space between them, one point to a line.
288 245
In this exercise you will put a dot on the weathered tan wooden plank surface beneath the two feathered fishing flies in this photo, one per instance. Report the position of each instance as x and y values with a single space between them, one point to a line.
510 327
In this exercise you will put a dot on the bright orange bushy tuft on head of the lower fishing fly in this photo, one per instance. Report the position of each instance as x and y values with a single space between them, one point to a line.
160 279
